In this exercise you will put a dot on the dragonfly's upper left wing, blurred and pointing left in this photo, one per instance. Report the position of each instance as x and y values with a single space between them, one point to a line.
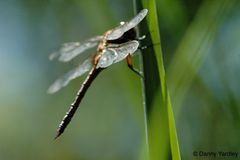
68 51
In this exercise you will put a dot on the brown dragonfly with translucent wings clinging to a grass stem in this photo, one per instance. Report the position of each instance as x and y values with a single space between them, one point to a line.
113 46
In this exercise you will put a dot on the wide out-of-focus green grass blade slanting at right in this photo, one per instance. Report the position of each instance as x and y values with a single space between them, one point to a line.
194 47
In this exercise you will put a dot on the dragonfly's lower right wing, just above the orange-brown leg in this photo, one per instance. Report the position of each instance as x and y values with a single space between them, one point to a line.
115 53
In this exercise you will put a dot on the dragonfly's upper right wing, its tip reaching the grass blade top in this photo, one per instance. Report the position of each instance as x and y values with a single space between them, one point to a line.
120 30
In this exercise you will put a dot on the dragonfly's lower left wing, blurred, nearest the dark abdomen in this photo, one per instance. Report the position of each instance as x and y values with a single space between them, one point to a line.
77 72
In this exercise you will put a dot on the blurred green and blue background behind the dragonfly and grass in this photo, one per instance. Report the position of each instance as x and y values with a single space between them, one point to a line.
109 125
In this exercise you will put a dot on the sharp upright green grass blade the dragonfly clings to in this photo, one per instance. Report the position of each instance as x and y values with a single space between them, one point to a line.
156 96
